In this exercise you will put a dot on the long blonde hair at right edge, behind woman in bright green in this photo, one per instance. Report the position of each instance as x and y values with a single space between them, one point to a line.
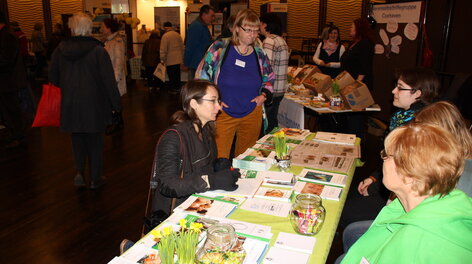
447 116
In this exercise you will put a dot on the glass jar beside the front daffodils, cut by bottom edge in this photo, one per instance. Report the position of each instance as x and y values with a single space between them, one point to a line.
221 246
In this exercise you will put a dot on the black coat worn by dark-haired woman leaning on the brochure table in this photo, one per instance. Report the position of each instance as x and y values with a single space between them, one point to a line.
196 158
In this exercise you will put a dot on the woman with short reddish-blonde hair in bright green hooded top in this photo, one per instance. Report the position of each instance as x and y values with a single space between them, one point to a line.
430 221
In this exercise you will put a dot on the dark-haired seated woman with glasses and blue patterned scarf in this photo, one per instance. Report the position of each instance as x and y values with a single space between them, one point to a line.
414 89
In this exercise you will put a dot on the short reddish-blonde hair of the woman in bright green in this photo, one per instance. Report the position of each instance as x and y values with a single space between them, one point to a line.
428 154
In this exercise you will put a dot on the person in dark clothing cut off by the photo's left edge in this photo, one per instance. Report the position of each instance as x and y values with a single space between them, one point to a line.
12 78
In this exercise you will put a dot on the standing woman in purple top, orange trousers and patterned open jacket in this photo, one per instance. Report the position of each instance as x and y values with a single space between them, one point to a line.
240 67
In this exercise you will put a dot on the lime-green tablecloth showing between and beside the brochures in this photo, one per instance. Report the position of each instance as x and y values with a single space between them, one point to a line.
282 224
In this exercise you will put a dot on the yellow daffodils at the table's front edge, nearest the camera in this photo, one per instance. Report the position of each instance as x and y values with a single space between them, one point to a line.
183 243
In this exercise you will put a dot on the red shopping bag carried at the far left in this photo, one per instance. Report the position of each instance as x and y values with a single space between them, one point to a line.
49 107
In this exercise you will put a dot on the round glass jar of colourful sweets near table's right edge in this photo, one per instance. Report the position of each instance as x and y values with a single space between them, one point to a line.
308 214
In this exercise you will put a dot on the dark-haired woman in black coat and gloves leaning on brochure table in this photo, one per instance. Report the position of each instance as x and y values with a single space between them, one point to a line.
186 152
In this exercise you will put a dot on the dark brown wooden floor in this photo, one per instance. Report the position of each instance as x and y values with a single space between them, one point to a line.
45 219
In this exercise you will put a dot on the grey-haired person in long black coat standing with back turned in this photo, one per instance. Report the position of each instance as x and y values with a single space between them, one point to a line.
82 68
